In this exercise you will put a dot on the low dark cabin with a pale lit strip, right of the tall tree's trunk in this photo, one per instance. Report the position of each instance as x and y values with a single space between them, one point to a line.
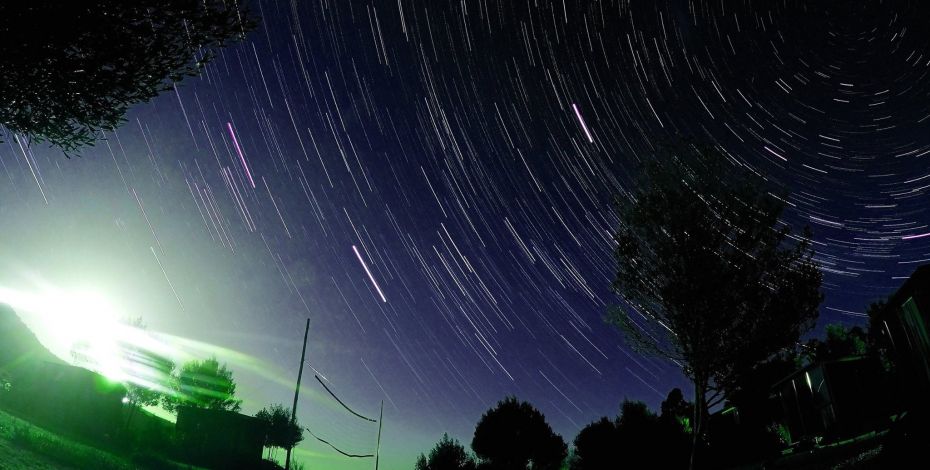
833 399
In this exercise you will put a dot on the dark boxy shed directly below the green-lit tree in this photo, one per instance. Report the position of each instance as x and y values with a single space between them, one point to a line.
219 438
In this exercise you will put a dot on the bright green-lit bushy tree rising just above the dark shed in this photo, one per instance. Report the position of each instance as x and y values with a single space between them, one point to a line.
203 384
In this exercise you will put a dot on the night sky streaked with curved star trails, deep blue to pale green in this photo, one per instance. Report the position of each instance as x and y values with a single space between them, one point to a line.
431 184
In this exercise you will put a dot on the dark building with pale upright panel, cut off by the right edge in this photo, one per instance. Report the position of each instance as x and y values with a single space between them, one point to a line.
903 325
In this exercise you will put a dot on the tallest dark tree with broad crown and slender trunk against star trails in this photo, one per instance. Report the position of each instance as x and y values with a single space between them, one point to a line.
709 275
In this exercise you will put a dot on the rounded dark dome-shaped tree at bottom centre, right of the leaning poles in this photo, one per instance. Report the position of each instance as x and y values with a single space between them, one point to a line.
515 435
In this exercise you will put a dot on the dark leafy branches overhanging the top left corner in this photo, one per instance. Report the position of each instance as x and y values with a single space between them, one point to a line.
71 69
